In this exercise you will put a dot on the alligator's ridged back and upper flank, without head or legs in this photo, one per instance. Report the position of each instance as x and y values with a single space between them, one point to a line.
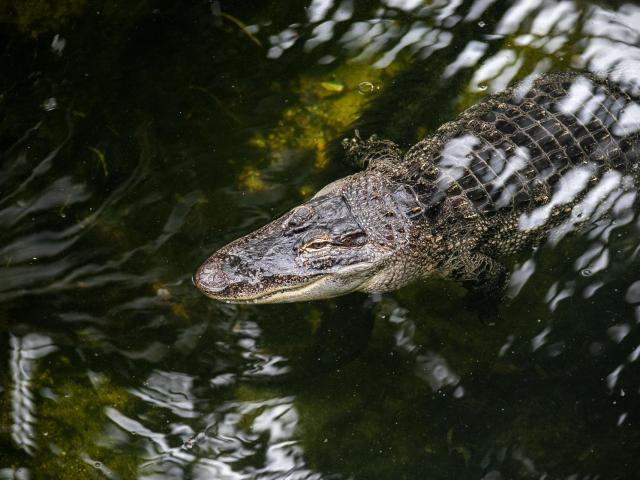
526 154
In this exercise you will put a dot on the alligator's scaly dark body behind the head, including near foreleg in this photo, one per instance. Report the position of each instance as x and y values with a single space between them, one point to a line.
509 170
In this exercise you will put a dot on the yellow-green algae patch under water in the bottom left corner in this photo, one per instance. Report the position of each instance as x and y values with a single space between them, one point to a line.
70 426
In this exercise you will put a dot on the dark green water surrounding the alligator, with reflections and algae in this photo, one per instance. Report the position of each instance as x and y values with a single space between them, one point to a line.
137 138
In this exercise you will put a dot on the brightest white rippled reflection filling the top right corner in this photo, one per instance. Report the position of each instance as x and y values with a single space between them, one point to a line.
608 42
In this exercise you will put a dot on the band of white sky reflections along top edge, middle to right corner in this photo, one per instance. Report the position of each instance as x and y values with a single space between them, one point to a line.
608 42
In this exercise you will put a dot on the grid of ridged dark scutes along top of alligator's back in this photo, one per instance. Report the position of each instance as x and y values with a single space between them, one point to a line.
510 151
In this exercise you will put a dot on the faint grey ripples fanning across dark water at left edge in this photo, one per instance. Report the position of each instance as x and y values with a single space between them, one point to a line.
52 268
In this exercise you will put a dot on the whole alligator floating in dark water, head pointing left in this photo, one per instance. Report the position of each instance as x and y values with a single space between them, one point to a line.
547 154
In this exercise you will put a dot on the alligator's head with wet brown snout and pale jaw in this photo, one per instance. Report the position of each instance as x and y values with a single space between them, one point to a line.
347 238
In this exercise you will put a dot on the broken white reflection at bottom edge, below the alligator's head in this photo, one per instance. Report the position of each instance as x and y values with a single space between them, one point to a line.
237 431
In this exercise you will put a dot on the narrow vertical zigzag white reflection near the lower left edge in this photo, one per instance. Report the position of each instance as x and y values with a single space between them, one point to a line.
25 351
